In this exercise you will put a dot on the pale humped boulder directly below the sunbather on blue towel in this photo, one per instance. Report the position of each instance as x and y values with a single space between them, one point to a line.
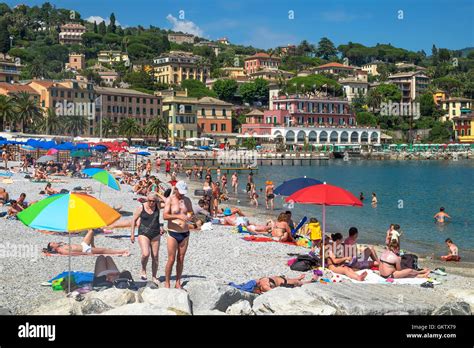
286 301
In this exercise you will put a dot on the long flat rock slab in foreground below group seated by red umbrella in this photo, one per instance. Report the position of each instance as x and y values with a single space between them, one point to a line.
376 299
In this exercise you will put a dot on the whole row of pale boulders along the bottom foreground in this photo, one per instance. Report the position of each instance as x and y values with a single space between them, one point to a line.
209 298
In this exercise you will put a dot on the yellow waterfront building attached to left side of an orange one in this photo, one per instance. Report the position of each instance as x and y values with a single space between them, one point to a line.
181 112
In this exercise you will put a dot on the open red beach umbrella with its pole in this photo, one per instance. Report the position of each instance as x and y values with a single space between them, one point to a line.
325 195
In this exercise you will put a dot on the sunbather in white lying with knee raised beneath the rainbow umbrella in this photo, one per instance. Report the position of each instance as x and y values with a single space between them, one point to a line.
86 247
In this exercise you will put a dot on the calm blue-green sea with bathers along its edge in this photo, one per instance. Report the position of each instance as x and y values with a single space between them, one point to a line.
409 193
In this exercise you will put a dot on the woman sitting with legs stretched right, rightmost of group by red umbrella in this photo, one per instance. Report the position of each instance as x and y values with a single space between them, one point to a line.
390 264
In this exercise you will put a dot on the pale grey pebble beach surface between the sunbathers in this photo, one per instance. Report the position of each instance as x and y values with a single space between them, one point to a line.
216 255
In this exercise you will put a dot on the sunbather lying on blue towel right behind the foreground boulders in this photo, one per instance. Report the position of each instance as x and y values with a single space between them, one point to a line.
261 285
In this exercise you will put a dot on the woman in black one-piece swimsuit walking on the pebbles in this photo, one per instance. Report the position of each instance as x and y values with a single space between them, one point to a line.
149 233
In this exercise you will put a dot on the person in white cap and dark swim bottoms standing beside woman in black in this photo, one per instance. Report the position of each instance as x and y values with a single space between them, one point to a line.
179 213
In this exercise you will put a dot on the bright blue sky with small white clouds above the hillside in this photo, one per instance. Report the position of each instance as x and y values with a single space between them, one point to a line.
266 23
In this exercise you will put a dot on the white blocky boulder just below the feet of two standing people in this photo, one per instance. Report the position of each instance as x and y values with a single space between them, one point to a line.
168 299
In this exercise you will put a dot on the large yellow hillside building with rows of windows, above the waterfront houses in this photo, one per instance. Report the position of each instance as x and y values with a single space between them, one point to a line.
177 66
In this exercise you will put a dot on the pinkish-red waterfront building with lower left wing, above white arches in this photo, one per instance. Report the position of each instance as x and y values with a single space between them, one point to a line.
296 111
